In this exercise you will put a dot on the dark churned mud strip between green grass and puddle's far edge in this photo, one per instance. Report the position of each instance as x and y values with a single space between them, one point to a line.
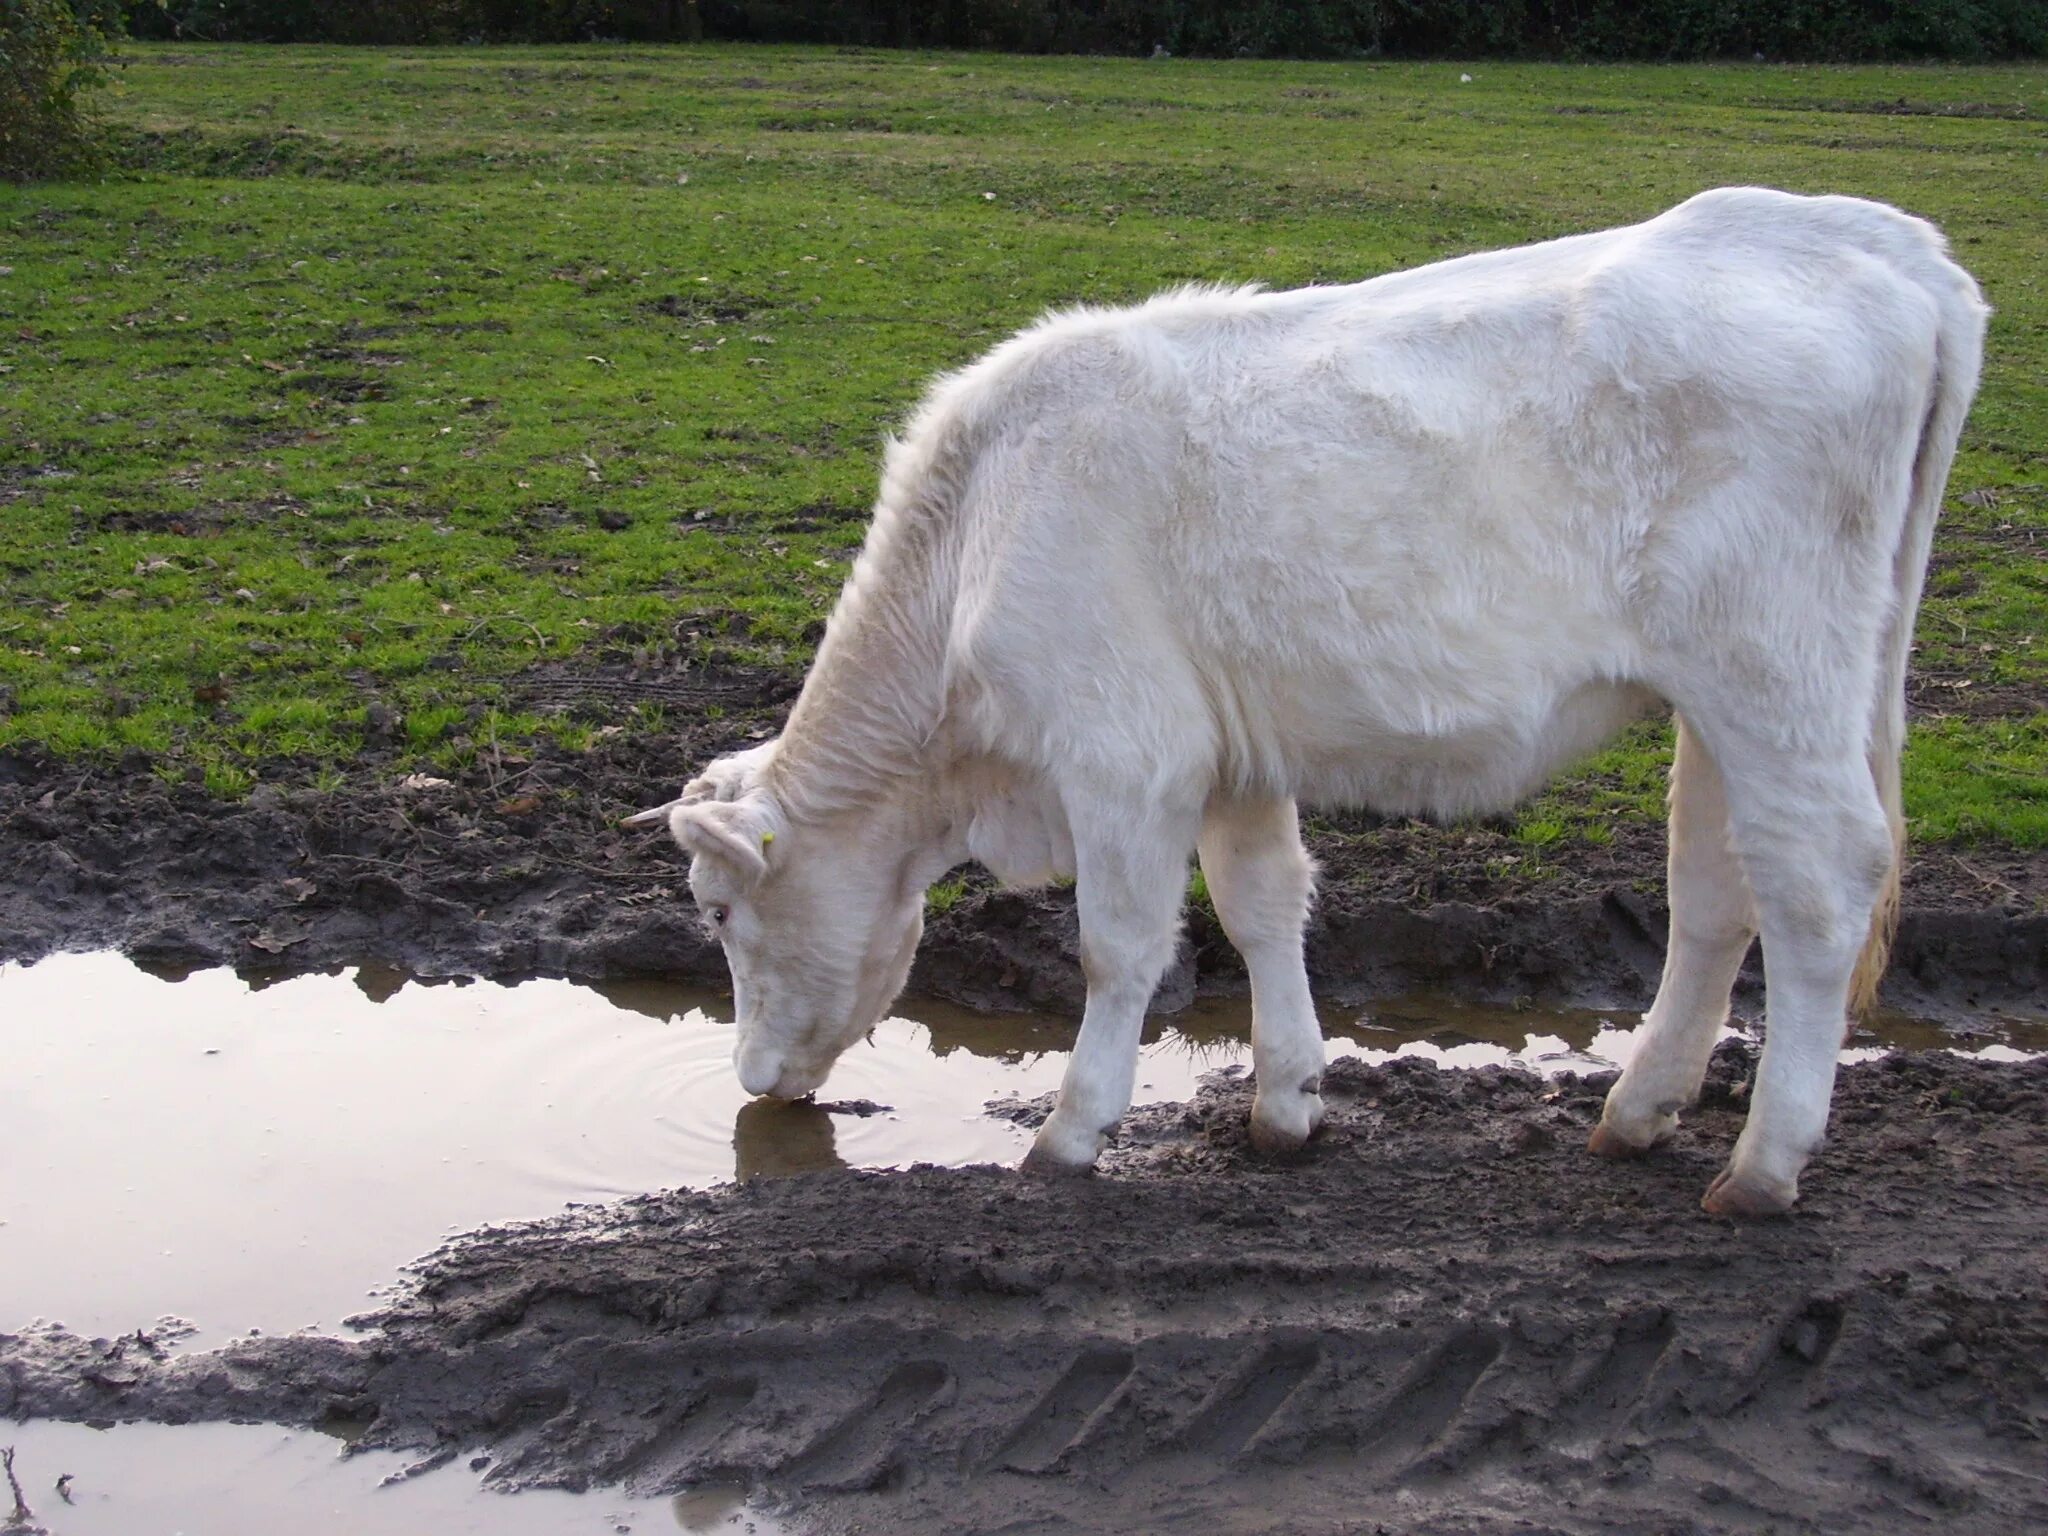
517 869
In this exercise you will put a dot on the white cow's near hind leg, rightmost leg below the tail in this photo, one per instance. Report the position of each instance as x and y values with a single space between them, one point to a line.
1818 847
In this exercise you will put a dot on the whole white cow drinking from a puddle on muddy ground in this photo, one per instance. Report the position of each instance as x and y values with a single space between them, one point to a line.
1144 579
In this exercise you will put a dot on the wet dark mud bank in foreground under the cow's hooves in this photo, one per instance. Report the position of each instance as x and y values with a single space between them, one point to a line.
1443 1318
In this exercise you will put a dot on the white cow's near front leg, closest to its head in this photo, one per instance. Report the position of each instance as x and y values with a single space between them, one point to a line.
1132 871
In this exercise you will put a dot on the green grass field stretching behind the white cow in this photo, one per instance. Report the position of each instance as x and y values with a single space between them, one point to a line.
394 374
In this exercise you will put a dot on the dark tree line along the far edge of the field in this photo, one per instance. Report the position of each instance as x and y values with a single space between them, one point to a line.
1558 30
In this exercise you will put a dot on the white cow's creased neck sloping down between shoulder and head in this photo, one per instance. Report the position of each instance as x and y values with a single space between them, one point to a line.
871 714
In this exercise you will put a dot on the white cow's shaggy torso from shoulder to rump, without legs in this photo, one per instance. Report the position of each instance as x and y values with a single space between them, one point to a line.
1416 542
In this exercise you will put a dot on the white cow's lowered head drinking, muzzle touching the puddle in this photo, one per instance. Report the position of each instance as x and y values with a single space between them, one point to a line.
818 919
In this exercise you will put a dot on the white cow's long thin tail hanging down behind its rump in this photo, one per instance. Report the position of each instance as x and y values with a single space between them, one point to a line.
1959 359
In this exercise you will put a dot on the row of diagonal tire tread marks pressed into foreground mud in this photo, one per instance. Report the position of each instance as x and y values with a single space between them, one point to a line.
1392 1412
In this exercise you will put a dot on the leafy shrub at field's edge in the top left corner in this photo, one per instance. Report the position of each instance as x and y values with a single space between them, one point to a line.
52 56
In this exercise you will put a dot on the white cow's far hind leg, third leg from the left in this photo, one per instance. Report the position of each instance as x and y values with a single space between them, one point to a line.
1713 925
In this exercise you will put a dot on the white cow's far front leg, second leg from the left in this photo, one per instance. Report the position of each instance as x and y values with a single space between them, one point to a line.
1261 882
